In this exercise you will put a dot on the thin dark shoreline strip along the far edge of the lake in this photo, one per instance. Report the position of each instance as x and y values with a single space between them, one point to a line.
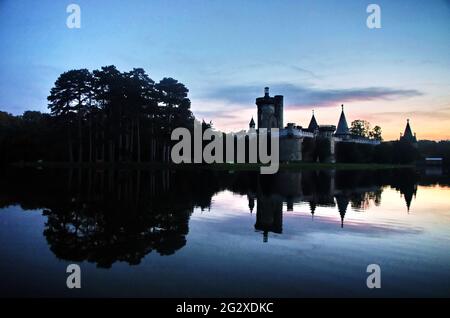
291 166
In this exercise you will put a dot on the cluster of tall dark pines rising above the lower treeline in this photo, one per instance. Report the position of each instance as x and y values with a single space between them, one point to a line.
110 111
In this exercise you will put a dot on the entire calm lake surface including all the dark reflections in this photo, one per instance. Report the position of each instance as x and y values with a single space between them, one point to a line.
212 234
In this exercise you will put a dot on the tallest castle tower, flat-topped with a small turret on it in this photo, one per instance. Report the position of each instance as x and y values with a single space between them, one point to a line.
270 110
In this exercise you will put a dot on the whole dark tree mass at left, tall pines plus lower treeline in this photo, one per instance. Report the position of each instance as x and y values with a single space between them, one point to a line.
105 115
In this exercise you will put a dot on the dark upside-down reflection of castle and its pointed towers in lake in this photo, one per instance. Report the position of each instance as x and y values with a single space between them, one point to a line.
318 188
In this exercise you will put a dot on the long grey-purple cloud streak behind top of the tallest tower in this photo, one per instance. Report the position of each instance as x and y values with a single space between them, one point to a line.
298 96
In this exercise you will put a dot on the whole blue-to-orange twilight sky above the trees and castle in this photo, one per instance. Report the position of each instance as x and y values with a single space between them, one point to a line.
318 54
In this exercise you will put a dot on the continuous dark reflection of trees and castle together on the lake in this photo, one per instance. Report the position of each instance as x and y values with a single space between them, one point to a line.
105 216
